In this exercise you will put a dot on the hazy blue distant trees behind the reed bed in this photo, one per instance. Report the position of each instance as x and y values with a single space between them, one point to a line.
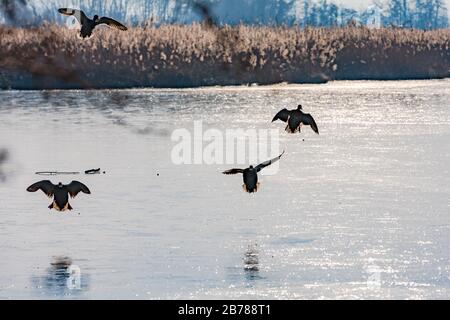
418 14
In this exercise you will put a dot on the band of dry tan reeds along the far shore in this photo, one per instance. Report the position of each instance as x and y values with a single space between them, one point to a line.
200 55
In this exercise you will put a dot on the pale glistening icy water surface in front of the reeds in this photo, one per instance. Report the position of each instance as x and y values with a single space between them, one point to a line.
361 211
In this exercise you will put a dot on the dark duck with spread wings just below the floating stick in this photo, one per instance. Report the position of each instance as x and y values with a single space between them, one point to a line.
60 193
